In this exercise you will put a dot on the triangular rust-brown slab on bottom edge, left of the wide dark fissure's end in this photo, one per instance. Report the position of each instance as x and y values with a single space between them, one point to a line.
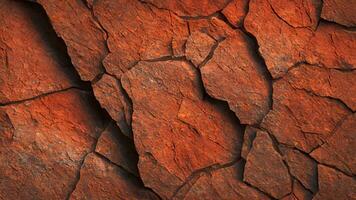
100 179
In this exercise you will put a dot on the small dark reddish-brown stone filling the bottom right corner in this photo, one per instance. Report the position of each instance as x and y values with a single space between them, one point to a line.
334 185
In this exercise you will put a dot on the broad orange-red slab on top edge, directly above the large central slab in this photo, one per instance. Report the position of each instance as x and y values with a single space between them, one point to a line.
138 31
